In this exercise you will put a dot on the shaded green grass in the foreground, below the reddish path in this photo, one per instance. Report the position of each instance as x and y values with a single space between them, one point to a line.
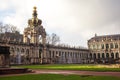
58 77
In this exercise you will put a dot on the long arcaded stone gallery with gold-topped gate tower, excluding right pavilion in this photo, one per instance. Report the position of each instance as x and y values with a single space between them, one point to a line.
26 48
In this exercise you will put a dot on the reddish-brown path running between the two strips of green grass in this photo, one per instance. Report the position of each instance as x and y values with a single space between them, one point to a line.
67 72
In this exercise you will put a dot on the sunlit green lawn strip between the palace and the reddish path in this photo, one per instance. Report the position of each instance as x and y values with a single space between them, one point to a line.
81 67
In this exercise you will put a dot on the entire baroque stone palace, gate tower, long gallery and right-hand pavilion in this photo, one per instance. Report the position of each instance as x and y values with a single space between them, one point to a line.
26 49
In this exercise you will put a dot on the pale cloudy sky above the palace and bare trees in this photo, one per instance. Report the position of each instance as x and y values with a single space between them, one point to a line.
75 21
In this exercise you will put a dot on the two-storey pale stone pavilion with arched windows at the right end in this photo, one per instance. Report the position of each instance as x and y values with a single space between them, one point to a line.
104 49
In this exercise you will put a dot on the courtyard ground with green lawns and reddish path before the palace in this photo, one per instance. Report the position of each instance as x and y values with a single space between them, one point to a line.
67 72
